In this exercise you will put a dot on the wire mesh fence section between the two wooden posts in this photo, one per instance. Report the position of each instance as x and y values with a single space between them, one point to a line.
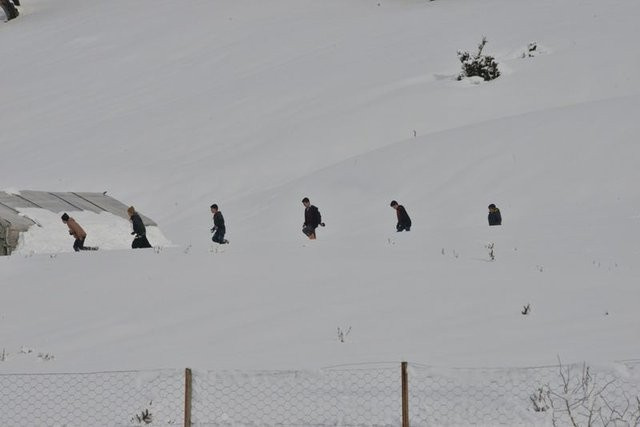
328 397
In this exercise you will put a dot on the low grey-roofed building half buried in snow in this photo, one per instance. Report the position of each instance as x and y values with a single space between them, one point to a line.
12 222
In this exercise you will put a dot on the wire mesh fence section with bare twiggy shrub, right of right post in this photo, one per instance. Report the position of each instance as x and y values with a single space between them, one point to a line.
597 396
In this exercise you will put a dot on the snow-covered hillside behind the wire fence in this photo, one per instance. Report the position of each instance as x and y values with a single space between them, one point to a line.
254 105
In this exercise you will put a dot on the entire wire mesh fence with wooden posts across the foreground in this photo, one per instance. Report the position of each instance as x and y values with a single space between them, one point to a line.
356 395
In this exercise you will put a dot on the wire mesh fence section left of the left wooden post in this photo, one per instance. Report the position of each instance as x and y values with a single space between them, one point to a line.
92 399
